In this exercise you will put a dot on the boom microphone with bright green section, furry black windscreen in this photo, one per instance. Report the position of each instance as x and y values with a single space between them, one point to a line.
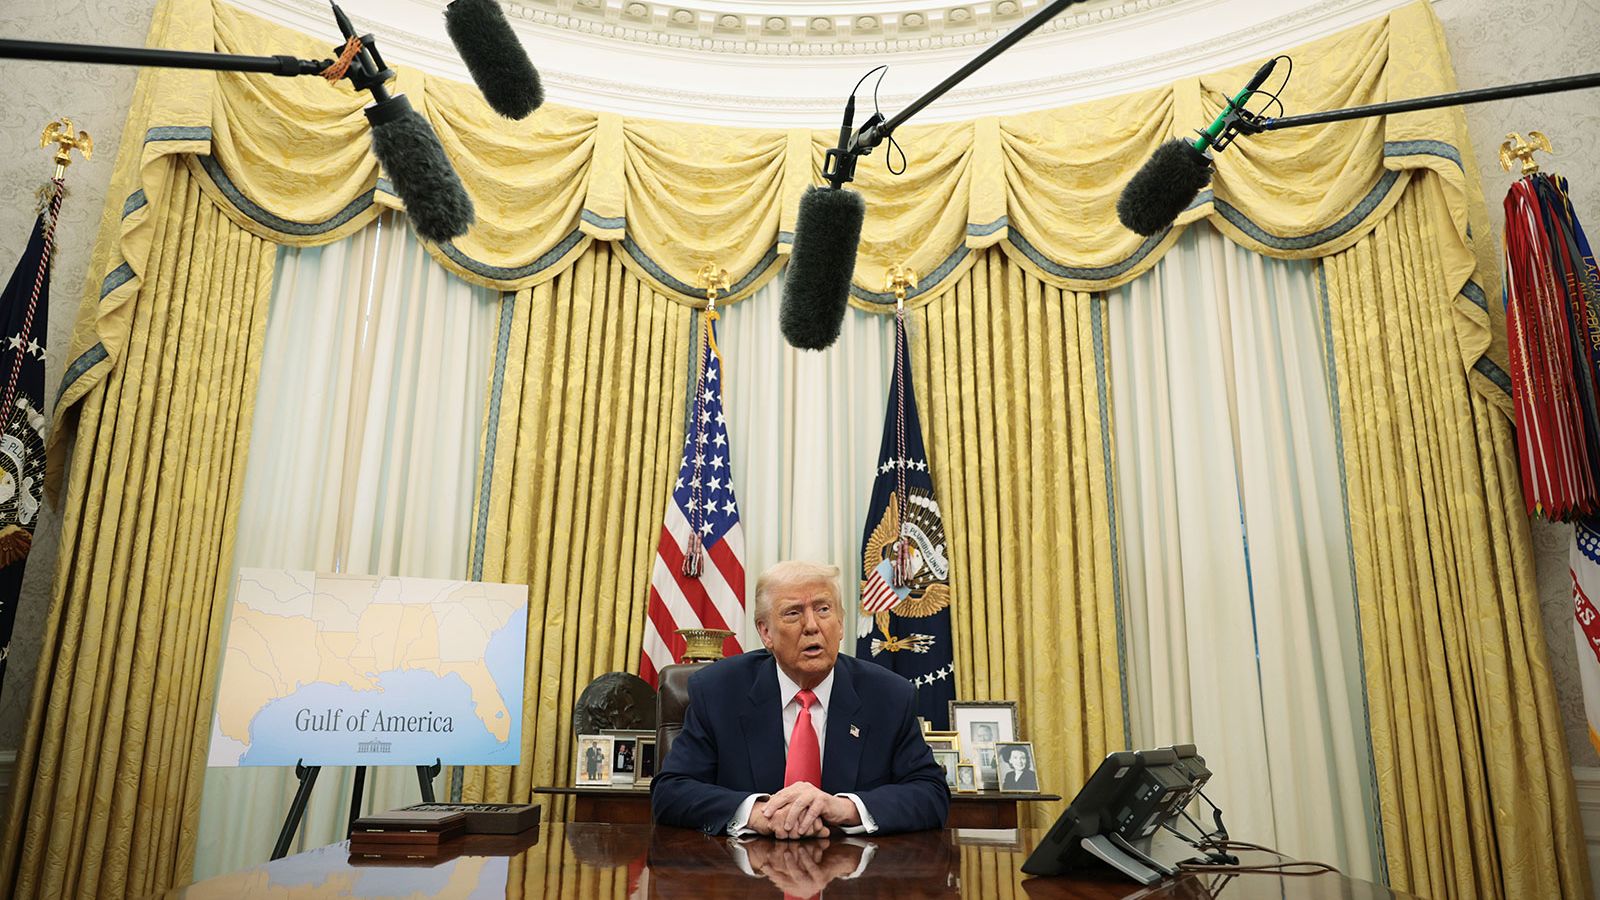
1175 174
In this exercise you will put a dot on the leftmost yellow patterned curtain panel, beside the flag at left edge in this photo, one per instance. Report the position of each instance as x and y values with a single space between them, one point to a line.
111 768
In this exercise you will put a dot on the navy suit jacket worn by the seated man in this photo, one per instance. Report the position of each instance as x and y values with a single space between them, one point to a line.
734 747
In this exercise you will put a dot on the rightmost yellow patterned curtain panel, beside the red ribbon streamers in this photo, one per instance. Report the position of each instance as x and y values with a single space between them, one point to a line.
1474 784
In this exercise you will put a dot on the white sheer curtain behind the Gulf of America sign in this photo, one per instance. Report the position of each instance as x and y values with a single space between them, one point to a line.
362 460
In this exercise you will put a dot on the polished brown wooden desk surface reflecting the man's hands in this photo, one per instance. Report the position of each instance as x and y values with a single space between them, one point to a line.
566 859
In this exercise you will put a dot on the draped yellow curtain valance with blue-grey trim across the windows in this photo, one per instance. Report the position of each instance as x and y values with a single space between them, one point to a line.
289 159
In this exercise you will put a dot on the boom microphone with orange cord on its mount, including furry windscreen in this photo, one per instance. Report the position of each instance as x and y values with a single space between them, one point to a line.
409 150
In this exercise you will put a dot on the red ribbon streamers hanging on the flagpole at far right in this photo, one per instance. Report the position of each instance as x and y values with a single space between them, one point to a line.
1553 323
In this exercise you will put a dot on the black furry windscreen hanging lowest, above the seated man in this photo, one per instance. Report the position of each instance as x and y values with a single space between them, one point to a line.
817 283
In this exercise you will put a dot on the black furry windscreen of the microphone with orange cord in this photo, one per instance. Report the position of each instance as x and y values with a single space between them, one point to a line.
406 143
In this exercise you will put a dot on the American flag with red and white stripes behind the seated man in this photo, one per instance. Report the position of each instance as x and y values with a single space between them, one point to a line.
703 505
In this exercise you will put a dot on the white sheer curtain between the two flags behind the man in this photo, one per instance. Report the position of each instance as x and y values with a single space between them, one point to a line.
806 430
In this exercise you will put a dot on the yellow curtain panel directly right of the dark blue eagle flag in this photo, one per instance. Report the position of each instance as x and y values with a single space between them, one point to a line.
1014 377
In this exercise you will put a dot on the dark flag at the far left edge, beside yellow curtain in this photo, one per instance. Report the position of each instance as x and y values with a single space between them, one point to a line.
23 326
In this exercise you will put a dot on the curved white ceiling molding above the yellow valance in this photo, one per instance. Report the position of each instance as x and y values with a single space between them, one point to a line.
665 76
